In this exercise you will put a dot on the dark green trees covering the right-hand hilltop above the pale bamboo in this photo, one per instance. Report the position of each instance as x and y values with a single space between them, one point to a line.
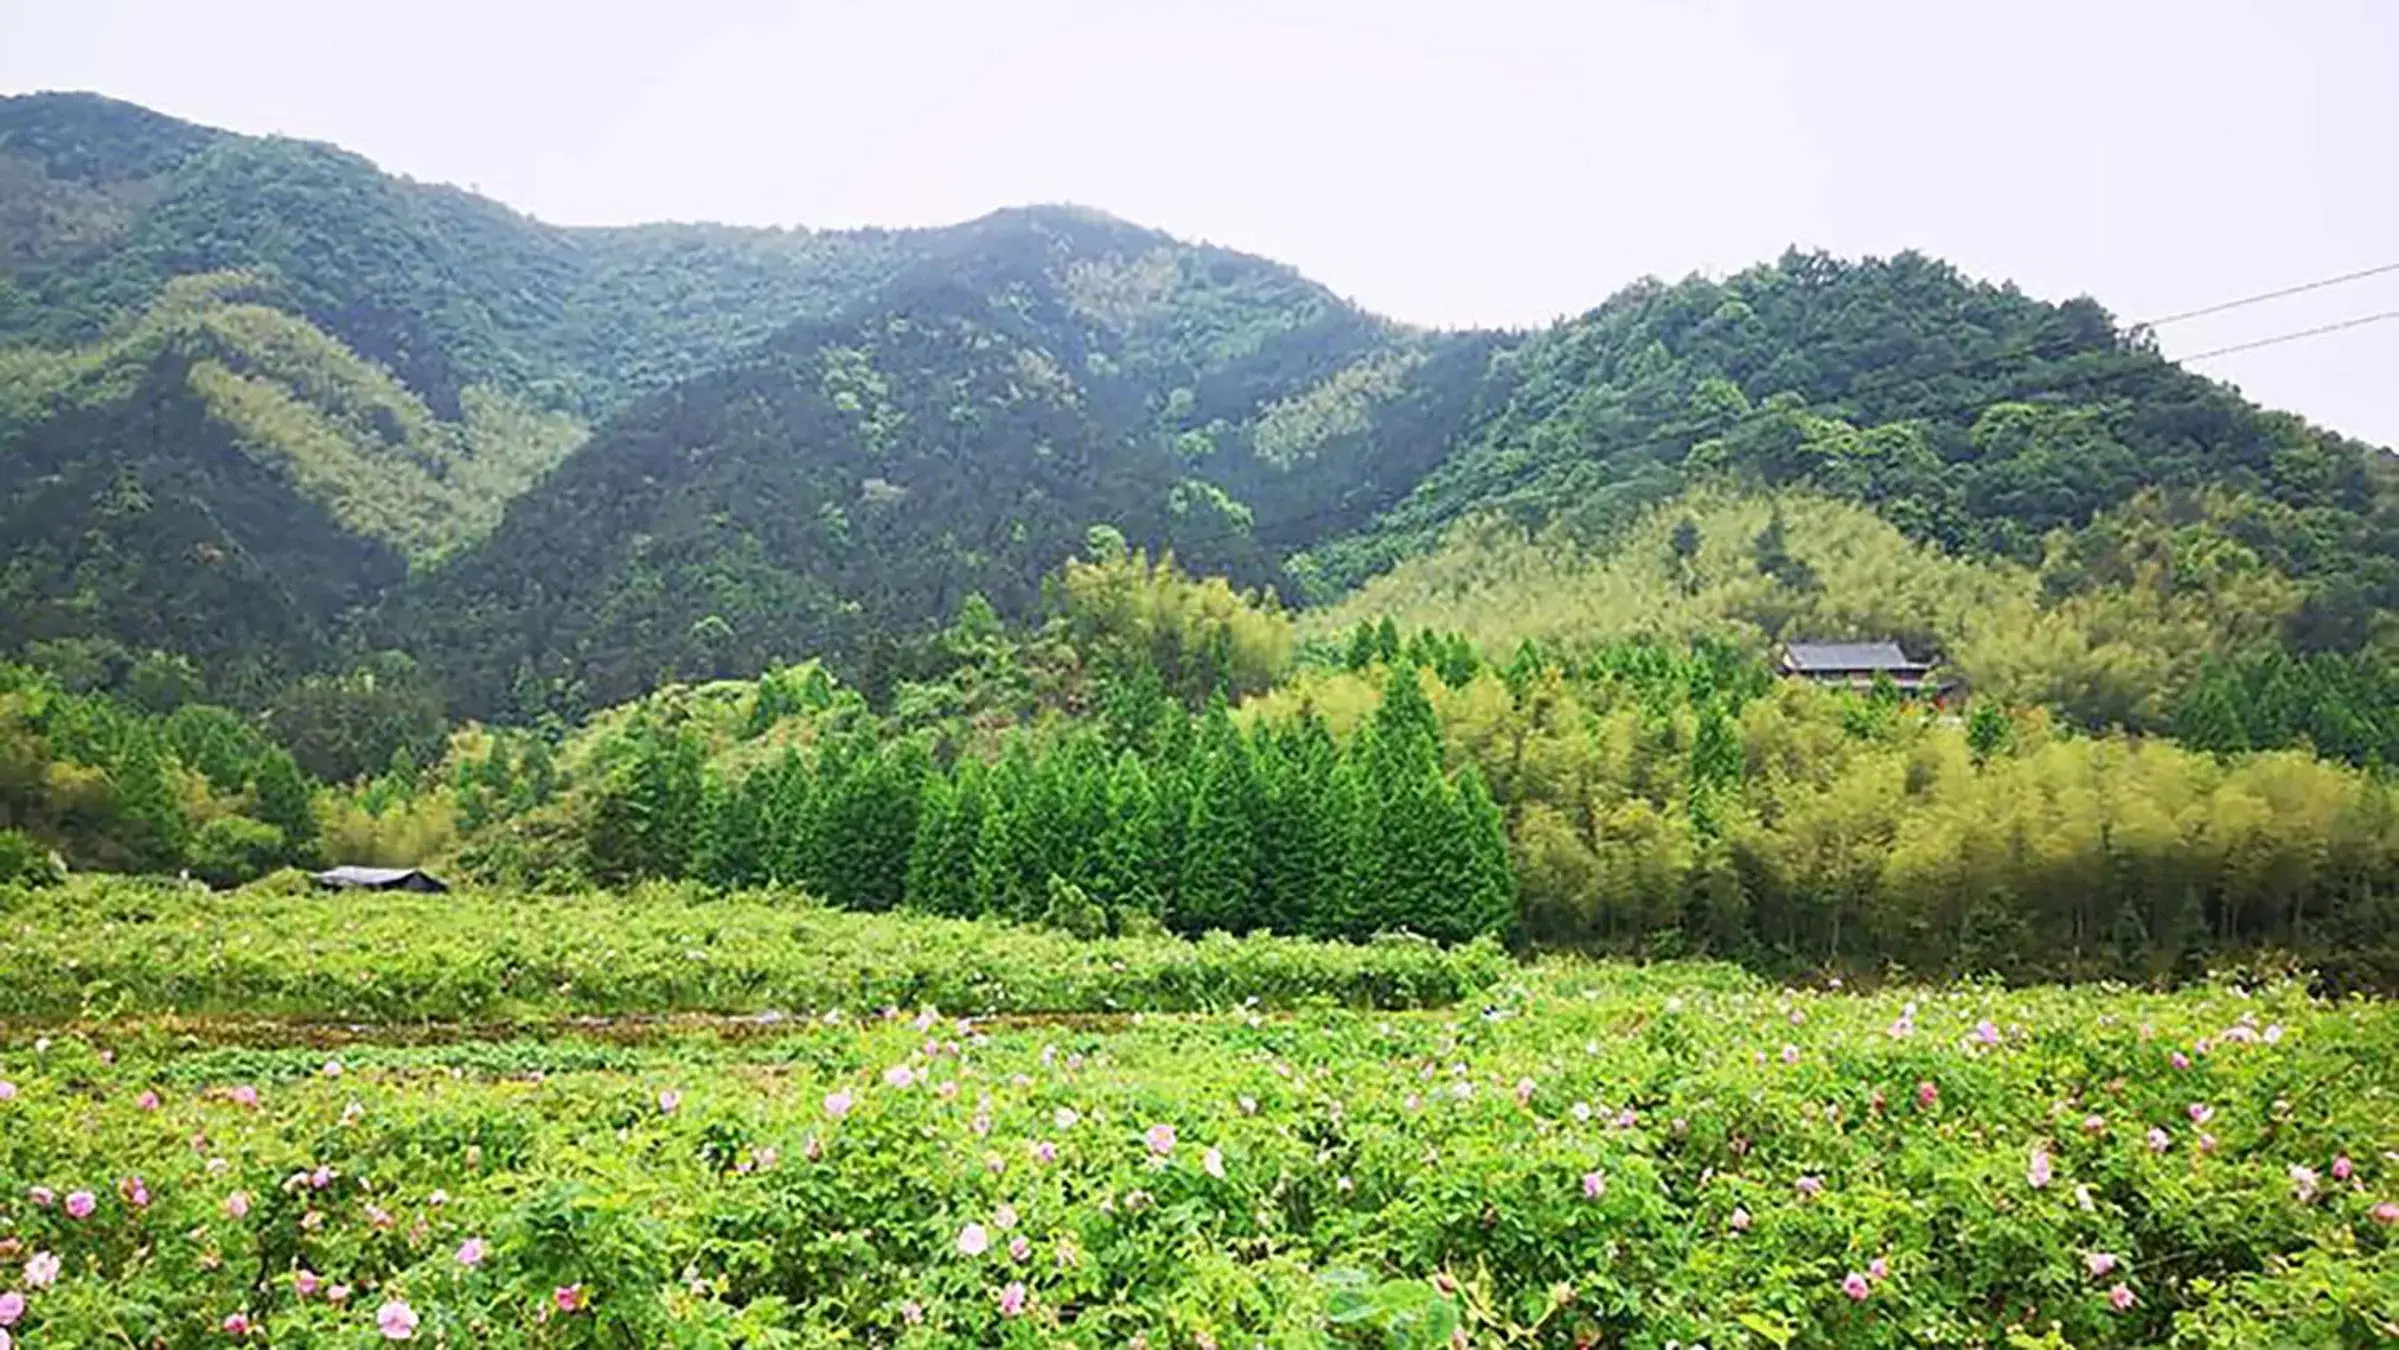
1966 414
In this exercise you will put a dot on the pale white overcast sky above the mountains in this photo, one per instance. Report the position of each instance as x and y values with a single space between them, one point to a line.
1472 162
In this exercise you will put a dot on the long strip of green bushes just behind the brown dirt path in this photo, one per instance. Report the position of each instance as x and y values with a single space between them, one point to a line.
282 948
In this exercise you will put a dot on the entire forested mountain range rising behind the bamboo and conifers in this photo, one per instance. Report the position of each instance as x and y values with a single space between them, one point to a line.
275 409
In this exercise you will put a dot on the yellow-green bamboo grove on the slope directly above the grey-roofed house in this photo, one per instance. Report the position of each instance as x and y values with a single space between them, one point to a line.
2110 632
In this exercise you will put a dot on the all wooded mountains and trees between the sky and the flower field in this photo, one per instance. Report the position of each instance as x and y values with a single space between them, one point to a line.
1059 569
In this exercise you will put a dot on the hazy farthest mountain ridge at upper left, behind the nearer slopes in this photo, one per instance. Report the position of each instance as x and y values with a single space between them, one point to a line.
104 203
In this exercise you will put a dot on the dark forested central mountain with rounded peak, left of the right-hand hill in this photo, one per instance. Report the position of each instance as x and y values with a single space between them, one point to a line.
956 433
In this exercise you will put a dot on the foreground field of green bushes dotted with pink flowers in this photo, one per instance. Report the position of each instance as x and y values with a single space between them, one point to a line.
1573 1157
